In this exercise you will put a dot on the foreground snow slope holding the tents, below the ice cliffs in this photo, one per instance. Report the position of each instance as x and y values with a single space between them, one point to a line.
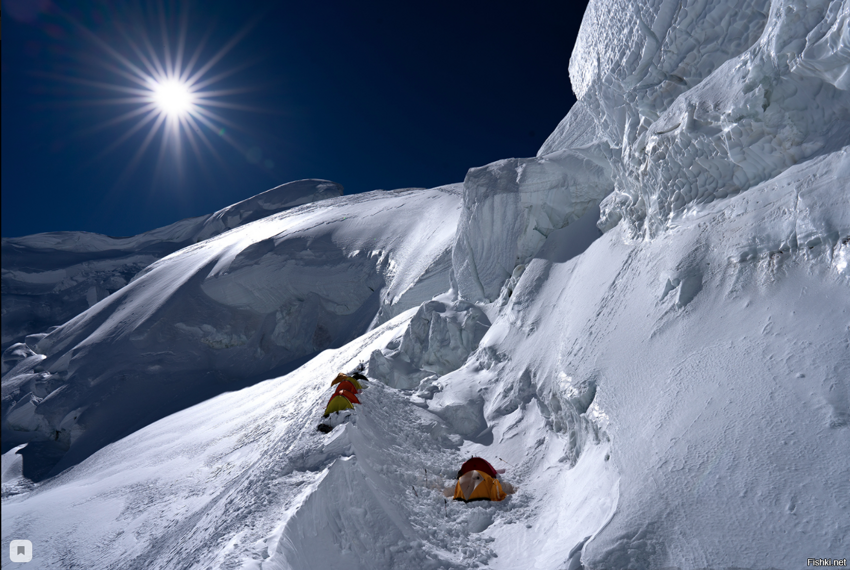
676 400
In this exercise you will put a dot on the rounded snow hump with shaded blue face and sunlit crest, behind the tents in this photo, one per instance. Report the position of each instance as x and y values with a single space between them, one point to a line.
223 313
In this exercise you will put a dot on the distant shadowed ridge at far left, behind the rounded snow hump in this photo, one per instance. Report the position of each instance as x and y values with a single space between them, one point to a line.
49 278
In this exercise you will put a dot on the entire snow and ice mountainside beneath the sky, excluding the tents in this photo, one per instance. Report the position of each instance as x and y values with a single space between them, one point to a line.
671 393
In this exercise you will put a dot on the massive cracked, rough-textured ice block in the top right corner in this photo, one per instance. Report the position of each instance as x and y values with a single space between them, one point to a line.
700 101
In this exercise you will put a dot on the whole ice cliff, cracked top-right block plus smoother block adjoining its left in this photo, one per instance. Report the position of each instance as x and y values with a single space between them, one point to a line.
680 104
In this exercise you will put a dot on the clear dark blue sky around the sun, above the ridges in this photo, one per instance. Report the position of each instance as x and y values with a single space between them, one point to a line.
368 94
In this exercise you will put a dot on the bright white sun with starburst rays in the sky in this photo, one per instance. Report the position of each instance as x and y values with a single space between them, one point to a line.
168 92
